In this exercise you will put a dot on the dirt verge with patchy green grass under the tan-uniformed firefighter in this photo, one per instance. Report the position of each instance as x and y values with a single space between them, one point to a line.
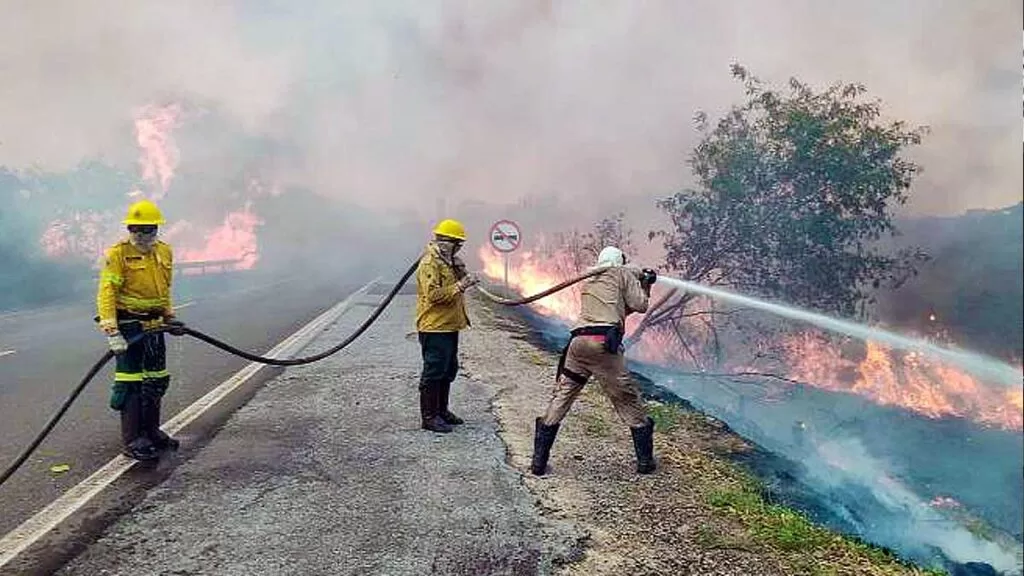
693 517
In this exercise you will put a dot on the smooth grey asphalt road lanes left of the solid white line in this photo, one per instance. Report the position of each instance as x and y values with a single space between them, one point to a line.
46 353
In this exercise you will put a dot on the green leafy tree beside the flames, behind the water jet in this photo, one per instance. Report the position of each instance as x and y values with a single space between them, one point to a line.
795 193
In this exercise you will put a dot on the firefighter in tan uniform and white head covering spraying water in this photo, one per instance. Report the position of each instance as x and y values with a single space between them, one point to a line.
595 350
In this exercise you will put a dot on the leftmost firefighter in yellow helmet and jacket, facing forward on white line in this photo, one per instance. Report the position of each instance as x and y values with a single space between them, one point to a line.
135 296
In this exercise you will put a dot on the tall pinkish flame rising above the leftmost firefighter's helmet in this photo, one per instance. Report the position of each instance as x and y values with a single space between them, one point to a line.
160 155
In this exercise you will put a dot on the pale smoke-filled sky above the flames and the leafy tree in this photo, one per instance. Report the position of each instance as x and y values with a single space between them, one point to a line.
397 104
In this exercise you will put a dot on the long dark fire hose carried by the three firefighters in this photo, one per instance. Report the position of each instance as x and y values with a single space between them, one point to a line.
185 331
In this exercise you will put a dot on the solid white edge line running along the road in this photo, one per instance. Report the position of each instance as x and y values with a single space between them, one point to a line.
16 542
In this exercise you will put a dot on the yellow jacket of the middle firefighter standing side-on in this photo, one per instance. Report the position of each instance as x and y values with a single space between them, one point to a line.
440 305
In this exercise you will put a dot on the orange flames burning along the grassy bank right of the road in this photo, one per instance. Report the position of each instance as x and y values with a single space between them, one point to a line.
870 369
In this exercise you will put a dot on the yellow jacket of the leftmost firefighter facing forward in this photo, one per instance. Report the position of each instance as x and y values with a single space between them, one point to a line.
135 281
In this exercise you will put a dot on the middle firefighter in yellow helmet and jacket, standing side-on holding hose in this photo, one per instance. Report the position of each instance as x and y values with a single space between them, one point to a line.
441 314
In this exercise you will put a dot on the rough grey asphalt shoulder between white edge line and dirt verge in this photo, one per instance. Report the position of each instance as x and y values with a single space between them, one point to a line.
326 471
